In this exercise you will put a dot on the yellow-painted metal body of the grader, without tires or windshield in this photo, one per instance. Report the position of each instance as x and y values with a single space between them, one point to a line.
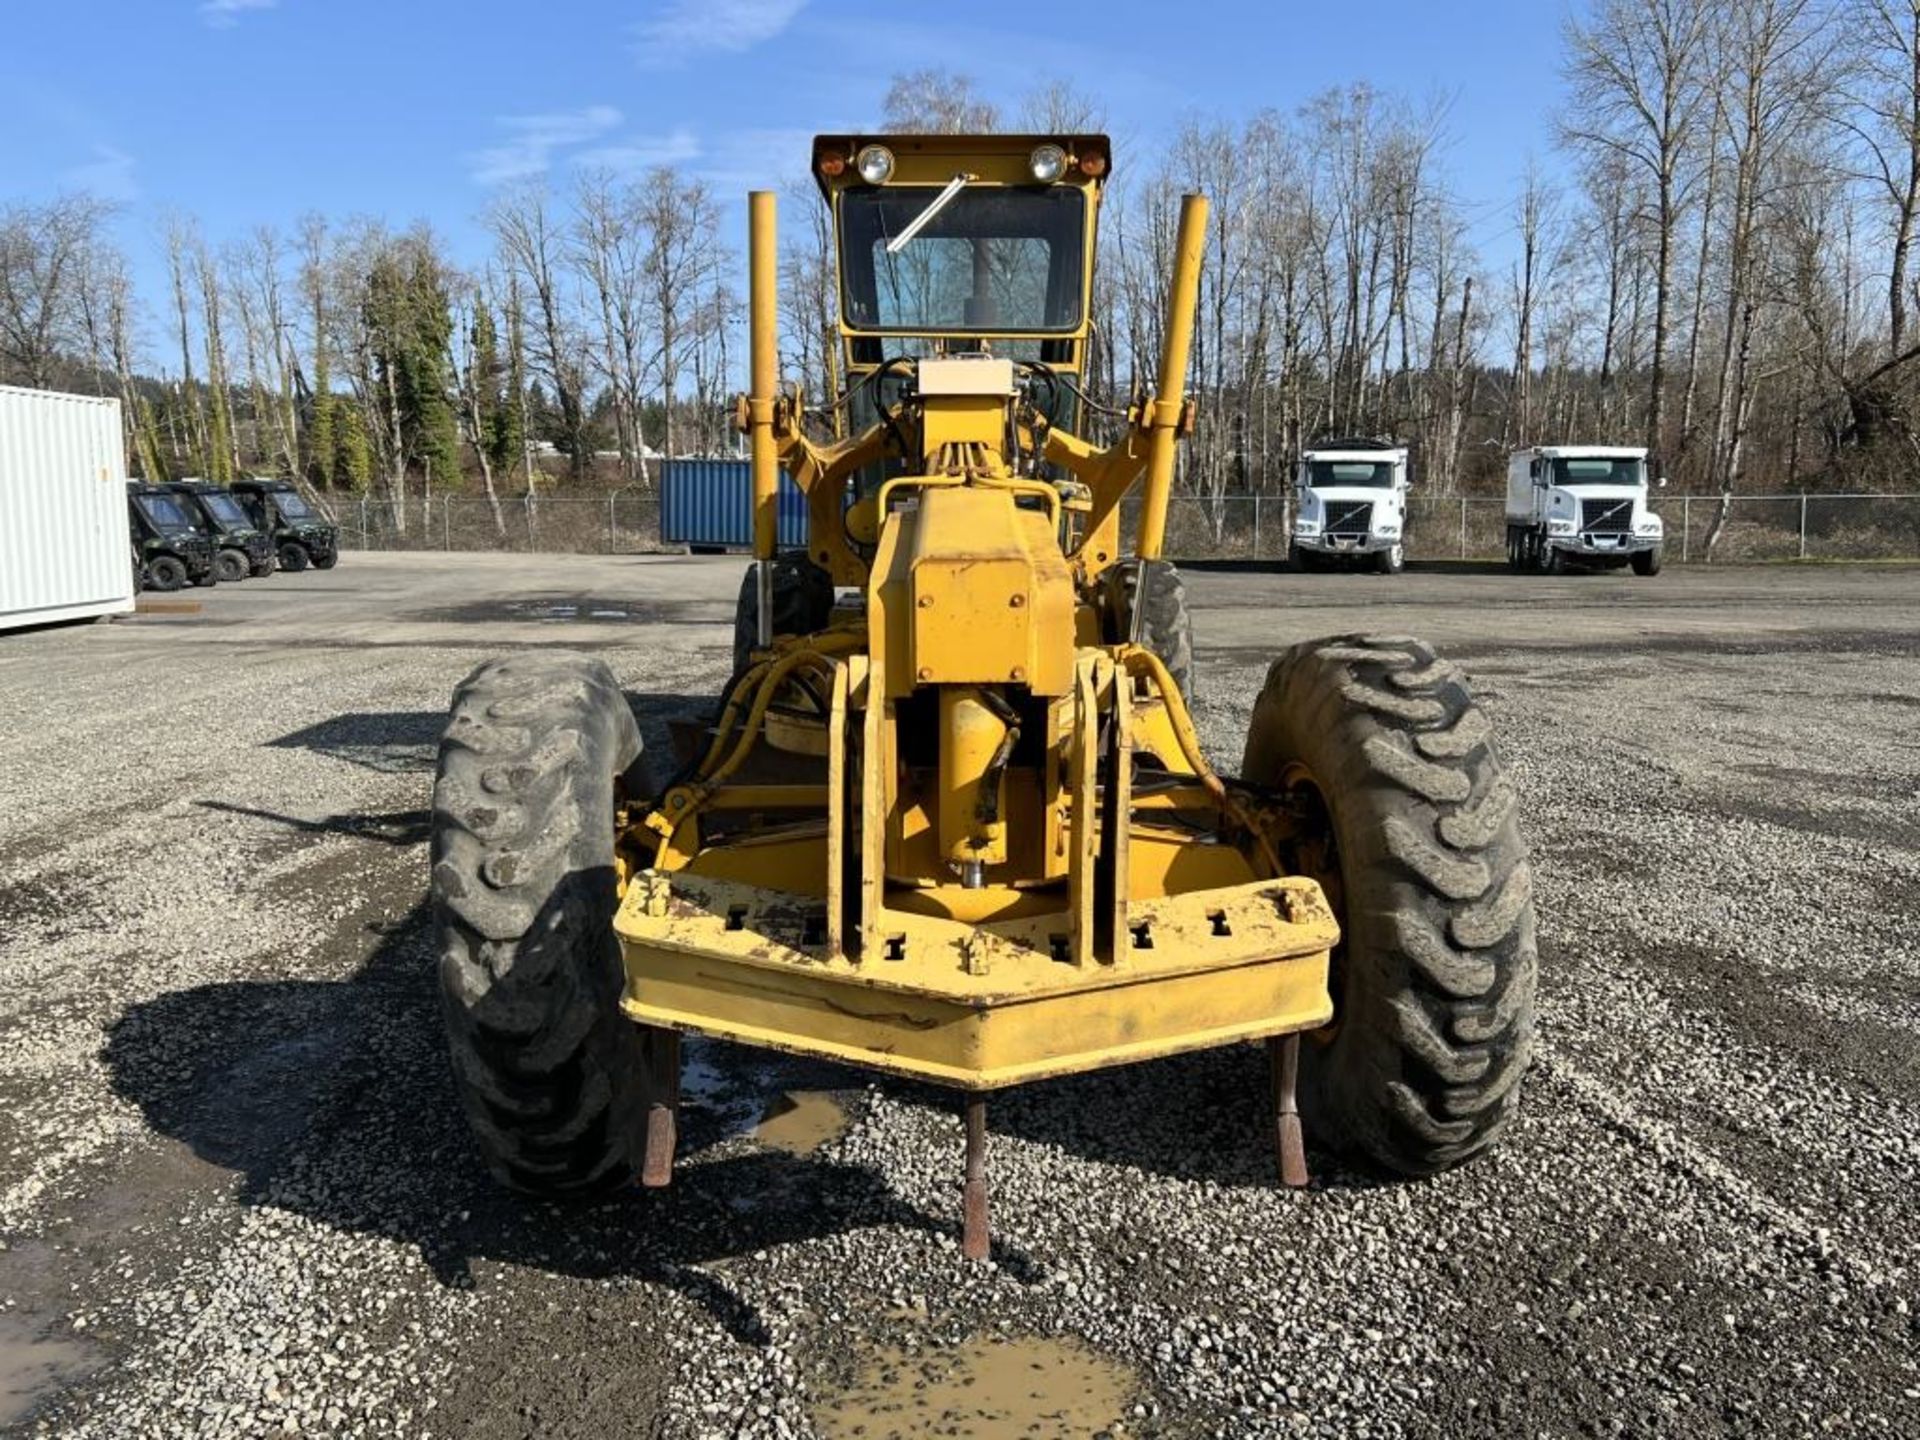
869 863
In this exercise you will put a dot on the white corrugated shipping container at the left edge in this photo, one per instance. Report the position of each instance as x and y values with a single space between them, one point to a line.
64 544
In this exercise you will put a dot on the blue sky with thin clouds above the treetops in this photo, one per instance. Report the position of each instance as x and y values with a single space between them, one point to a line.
258 110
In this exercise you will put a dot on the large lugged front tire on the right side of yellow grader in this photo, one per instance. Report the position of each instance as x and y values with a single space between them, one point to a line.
1412 830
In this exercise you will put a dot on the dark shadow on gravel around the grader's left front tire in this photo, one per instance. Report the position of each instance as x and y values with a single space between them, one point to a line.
335 1101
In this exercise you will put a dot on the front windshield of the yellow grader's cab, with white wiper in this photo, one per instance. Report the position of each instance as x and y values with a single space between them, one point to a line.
997 260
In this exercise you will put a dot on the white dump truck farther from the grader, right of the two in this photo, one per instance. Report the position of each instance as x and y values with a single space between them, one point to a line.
1581 506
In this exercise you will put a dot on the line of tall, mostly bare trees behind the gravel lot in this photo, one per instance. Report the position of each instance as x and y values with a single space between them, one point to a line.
1725 276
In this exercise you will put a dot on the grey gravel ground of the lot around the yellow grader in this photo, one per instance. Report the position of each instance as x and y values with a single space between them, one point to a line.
237 1199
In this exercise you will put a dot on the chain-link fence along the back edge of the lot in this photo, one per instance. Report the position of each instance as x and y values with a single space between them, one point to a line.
1199 529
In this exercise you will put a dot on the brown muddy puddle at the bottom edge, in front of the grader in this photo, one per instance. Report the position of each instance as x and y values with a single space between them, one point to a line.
988 1389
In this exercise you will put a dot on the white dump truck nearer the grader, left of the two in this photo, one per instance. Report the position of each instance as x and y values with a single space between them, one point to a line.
1353 506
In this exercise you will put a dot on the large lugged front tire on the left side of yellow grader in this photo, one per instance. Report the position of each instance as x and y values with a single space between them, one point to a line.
523 886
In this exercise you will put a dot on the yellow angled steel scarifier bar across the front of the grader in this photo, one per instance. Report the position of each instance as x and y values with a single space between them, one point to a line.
988 1005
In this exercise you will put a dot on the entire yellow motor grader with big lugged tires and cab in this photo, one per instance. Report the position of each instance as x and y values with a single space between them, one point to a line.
951 819
